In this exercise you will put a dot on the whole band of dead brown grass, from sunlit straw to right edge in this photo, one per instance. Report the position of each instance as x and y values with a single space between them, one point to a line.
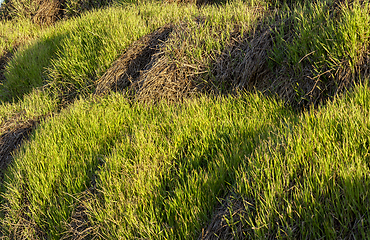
155 68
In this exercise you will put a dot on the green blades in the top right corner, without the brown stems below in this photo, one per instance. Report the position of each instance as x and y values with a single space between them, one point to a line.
324 36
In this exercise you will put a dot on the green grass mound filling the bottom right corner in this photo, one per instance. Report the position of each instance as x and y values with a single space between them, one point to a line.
310 180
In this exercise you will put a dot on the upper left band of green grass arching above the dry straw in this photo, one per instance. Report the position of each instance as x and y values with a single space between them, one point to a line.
72 55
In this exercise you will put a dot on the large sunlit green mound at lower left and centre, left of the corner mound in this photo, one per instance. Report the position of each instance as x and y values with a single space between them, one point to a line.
163 166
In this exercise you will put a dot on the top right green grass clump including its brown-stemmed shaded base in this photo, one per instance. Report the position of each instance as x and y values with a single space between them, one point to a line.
322 46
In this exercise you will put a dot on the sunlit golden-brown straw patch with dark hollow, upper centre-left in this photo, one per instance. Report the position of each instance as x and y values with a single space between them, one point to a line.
148 74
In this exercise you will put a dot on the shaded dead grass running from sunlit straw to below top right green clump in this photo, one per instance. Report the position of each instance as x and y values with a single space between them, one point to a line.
244 65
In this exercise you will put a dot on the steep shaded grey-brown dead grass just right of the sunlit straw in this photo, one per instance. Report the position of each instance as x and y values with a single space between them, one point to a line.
243 65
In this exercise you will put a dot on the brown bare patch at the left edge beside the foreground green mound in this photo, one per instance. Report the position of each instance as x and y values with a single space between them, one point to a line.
13 134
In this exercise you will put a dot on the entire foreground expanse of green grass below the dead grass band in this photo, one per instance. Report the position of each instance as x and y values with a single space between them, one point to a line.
159 170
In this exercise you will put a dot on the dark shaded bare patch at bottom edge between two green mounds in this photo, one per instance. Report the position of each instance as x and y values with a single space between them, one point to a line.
226 222
